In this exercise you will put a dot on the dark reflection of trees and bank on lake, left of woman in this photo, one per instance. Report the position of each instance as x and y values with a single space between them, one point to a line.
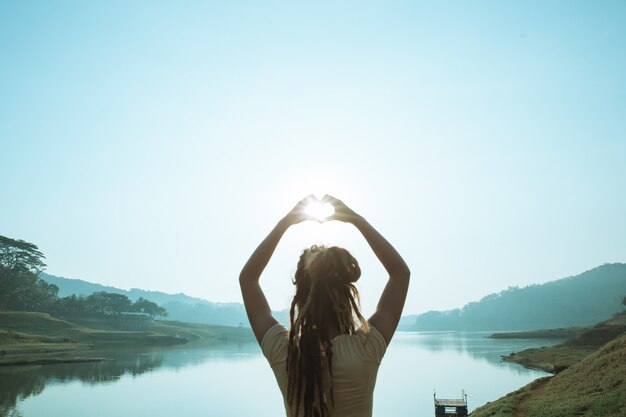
20 382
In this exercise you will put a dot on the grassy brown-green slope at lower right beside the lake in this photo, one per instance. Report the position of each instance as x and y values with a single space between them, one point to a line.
589 380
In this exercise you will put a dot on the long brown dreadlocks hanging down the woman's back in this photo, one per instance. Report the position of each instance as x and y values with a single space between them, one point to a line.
325 298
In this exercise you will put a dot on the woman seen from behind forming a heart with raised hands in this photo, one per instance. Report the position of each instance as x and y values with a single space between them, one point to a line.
325 365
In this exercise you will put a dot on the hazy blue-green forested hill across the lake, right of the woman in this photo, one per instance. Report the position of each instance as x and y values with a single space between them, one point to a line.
581 300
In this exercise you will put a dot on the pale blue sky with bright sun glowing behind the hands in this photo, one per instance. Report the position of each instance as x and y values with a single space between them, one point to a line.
154 144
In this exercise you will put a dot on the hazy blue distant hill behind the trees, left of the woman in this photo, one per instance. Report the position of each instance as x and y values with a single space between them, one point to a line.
180 306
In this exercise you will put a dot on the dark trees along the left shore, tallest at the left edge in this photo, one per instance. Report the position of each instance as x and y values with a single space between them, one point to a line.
21 289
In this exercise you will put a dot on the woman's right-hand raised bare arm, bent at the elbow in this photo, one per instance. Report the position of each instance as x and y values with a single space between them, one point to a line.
391 302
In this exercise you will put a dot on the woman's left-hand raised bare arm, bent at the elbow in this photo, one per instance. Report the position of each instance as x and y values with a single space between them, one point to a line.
257 307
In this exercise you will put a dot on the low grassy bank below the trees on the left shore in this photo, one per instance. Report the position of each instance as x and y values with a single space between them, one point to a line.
28 338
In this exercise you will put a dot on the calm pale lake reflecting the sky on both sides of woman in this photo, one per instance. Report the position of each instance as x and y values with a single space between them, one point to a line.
235 380
